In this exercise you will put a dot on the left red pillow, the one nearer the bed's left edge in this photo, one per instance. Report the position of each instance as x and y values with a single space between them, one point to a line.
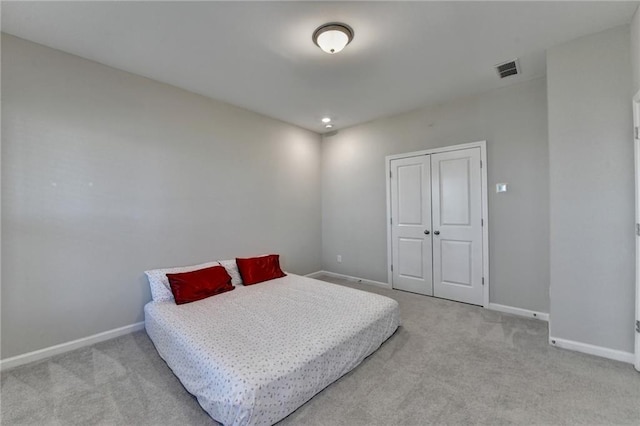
196 285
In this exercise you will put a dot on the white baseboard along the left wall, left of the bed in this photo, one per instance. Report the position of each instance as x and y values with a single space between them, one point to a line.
68 346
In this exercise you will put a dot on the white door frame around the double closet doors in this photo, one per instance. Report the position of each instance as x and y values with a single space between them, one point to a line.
485 209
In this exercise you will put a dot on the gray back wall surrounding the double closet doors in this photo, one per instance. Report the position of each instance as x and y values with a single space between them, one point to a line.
513 120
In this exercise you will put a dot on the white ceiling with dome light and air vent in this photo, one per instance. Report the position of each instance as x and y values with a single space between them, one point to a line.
260 56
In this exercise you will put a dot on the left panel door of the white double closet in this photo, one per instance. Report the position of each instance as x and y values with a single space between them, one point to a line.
411 224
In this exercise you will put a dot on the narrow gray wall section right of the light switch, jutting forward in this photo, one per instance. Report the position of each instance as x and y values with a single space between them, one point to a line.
592 190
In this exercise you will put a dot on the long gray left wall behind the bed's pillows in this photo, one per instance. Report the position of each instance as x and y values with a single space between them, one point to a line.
106 174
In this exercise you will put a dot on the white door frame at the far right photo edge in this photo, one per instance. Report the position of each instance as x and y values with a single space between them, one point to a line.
636 147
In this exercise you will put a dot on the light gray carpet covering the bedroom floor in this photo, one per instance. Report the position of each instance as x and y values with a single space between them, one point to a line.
449 363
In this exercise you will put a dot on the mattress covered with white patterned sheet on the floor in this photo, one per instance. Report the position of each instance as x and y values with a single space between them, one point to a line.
253 355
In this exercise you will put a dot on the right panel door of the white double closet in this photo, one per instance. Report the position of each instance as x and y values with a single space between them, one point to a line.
457 229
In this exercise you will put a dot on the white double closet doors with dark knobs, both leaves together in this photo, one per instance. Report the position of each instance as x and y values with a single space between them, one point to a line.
436 225
